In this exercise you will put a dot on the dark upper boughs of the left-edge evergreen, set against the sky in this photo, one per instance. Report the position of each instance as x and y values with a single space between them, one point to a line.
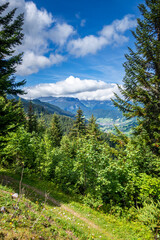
10 36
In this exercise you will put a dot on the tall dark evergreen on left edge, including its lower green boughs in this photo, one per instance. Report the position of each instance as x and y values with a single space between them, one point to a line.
11 113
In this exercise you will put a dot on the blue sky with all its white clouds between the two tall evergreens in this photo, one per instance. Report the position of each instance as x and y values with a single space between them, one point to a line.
75 48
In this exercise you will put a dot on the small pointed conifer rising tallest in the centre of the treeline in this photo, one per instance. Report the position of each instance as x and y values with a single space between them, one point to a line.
79 126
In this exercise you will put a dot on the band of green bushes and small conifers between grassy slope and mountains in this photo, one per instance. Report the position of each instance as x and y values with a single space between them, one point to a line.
110 171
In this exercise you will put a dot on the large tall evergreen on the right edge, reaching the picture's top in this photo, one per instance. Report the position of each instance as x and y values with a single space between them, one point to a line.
141 89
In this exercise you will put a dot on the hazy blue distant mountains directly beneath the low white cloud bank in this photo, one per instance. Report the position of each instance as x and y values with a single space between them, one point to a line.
100 109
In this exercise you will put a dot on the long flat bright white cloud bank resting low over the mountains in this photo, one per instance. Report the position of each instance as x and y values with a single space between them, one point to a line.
73 87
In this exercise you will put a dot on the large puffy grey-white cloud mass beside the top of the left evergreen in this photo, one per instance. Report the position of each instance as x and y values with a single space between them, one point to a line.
40 29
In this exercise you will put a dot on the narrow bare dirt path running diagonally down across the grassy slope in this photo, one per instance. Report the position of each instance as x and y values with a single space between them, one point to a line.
66 208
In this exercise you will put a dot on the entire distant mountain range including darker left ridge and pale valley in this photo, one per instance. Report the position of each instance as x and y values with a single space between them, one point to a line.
106 113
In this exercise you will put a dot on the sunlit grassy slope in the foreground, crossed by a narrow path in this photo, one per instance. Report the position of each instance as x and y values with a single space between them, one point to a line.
36 219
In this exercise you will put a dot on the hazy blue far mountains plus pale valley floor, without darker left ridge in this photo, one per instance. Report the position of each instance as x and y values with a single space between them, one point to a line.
105 112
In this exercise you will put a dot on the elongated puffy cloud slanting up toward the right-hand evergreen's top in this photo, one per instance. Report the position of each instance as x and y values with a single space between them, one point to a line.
109 35
